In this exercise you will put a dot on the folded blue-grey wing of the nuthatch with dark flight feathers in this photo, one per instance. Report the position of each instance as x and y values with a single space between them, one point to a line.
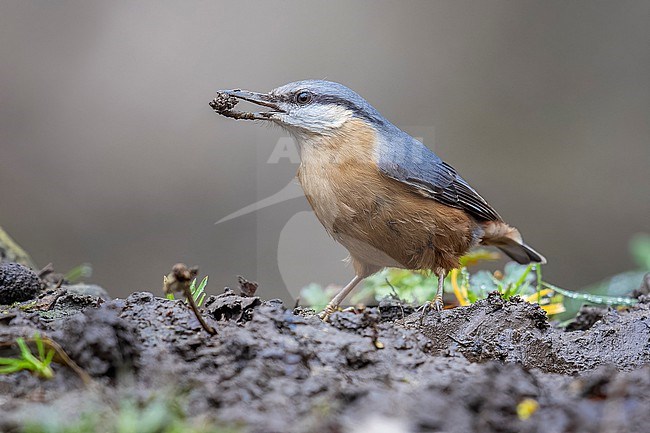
413 164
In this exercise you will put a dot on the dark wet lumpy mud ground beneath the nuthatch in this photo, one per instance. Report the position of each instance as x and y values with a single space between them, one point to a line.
274 369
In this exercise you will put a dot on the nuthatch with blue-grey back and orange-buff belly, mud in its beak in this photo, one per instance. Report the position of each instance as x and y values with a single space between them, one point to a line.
382 194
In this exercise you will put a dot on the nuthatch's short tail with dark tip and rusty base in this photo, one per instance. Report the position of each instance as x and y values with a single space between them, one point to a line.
508 239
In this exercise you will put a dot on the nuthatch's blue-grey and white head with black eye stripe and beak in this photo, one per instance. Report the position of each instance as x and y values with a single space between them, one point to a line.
310 107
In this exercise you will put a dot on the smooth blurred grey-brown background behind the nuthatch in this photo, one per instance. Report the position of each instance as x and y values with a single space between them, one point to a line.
109 153
